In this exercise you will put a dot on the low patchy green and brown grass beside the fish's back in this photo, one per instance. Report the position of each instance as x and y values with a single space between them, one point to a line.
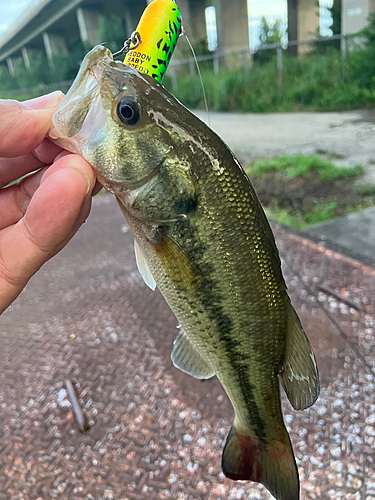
303 190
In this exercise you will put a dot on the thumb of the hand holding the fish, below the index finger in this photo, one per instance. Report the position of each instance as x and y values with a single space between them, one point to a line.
57 210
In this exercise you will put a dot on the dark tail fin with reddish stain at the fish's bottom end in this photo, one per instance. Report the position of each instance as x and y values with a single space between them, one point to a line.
272 464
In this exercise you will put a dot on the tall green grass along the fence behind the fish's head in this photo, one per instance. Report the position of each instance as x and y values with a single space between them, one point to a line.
312 83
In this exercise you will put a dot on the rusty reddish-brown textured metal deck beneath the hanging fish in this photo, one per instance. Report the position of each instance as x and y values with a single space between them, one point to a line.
157 433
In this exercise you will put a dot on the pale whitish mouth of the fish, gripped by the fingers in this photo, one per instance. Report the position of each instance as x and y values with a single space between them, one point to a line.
73 110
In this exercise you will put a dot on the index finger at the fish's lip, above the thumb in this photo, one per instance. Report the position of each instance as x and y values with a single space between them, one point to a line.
24 125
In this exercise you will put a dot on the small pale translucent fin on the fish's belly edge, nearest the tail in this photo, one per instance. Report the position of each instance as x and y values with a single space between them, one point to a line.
186 357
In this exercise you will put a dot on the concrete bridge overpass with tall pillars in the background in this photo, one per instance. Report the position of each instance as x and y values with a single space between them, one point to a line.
48 24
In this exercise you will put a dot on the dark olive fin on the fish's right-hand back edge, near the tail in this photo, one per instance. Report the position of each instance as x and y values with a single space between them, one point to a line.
299 375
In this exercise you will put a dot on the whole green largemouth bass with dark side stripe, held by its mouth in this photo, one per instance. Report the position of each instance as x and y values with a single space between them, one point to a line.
201 236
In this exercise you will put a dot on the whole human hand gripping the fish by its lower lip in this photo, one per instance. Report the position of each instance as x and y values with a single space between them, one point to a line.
39 215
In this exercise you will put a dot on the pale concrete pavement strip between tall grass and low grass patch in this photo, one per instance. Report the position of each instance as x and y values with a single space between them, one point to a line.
348 137
